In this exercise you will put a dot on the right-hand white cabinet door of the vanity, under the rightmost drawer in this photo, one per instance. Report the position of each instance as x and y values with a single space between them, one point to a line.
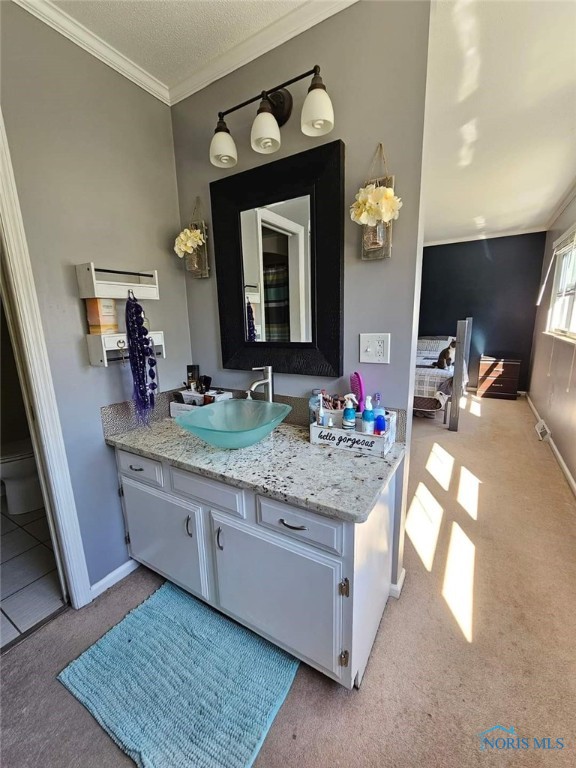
279 588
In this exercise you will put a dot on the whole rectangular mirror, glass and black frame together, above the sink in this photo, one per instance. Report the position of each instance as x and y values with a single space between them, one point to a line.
278 245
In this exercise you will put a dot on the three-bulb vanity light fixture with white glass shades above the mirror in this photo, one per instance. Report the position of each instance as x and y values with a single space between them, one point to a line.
275 108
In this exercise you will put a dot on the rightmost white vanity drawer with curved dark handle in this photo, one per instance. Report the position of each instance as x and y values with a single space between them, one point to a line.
298 524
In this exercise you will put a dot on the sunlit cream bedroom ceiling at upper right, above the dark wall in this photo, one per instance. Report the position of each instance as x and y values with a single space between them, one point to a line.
501 117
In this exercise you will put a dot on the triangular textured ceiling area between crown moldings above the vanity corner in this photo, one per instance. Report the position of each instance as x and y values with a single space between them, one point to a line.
172 39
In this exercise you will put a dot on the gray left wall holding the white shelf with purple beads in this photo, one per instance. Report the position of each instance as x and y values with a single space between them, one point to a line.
94 164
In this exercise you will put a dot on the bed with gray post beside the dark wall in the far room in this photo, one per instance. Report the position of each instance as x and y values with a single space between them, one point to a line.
436 388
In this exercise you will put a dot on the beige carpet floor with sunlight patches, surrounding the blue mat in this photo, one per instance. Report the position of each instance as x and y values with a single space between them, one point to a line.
509 576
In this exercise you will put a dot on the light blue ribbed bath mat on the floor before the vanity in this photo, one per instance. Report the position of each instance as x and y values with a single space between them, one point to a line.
177 685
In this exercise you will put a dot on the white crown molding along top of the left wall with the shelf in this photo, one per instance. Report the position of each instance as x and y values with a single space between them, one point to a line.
54 17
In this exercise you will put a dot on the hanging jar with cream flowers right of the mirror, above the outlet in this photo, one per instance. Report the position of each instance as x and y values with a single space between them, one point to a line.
375 207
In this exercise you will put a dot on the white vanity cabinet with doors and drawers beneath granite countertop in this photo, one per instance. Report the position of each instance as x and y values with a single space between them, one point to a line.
314 585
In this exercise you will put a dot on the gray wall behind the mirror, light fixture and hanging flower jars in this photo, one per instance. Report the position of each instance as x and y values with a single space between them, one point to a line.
373 60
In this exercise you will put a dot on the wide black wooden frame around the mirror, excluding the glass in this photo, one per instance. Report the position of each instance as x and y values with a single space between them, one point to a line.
319 173
